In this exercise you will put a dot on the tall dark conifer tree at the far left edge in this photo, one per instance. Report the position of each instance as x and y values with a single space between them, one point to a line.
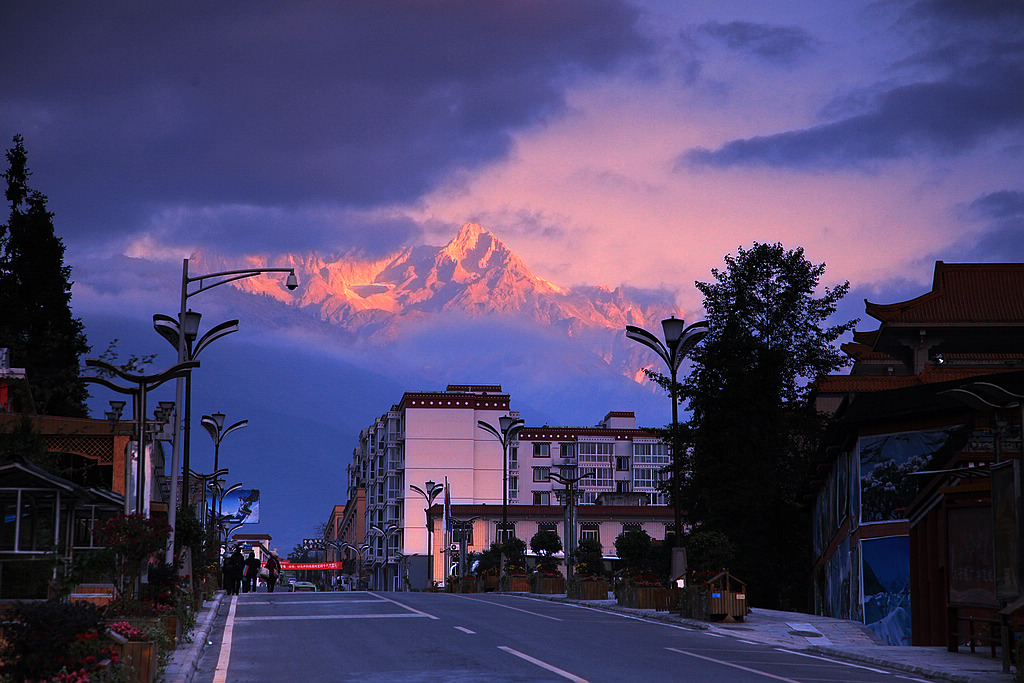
36 322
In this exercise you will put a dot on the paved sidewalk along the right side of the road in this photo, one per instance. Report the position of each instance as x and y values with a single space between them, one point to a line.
840 639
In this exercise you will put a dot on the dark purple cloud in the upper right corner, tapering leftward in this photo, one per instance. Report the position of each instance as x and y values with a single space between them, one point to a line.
973 56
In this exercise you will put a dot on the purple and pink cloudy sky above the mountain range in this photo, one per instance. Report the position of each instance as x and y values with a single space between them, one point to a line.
607 143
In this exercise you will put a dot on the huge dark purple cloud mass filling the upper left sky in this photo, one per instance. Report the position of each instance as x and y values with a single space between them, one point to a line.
127 107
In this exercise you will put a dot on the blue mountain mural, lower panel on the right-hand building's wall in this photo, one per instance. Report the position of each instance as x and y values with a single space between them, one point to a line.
887 588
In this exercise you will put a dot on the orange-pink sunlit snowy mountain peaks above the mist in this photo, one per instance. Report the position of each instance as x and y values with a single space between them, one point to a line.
475 275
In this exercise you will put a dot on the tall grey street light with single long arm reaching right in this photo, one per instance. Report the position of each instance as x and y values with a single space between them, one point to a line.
190 325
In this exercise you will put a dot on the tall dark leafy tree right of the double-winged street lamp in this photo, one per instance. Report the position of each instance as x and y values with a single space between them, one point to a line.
753 423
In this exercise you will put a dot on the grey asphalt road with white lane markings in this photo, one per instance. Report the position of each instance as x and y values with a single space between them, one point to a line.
412 637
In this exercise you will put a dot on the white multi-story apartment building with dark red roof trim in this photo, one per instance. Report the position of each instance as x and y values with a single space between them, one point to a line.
434 438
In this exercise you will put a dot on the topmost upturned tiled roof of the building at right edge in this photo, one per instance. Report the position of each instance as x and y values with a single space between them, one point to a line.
963 294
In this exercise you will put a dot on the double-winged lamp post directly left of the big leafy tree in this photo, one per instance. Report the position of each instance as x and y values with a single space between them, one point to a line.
678 343
